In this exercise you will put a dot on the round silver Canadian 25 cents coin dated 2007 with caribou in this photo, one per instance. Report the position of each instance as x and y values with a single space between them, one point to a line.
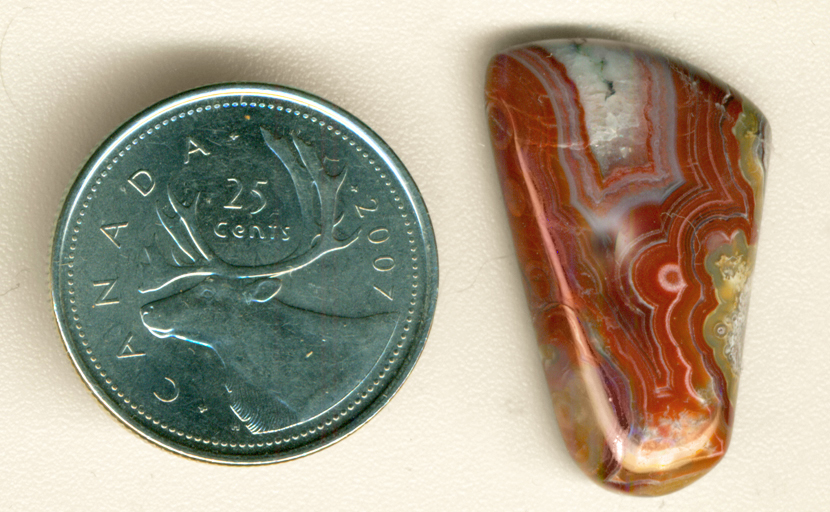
244 273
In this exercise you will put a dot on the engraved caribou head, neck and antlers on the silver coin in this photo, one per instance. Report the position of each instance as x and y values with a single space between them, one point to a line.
278 359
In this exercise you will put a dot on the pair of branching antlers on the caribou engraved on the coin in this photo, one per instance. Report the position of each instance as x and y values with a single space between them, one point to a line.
310 180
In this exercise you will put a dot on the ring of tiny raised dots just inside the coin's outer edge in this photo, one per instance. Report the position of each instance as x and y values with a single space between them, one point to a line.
344 409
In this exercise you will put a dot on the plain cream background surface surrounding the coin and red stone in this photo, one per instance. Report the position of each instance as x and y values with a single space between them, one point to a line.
472 429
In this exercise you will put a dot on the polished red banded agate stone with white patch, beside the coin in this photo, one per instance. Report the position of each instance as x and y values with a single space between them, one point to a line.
633 184
